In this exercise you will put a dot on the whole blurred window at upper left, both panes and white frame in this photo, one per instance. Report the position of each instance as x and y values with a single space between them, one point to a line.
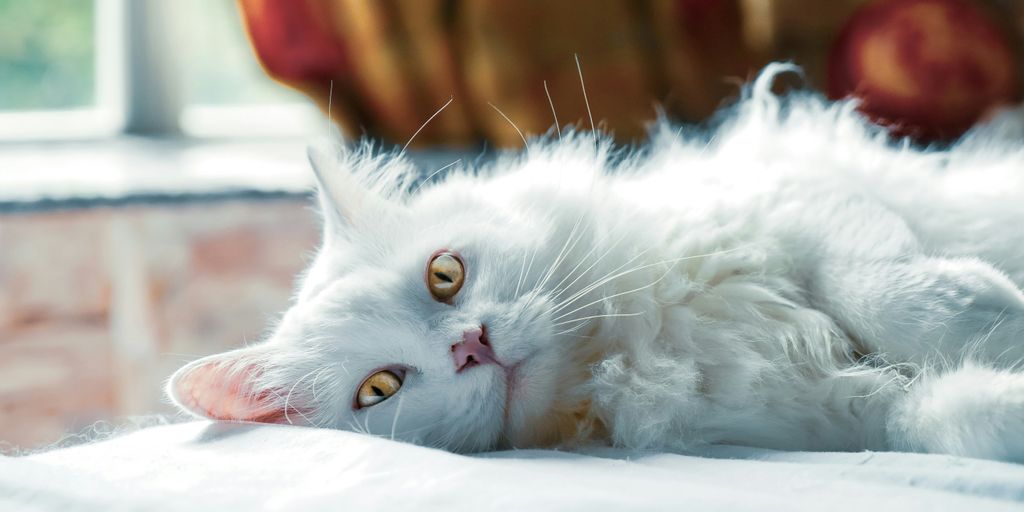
75 69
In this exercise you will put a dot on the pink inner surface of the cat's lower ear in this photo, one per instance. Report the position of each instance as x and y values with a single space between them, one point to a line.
225 391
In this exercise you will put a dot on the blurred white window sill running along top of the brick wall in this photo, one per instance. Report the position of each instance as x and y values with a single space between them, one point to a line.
144 170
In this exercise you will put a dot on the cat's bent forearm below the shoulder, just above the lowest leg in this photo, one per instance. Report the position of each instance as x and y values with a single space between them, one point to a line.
921 310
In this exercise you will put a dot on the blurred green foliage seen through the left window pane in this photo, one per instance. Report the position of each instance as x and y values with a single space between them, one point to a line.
47 55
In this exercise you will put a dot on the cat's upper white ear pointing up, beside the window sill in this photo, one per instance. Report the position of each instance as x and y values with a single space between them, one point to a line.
345 200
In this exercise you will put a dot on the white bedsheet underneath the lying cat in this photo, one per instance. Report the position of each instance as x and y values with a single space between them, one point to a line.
206 466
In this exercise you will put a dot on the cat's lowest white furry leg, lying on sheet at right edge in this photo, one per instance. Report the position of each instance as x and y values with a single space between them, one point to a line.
971 412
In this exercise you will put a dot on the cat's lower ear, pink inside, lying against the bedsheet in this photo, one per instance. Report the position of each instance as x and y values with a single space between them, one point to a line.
231 387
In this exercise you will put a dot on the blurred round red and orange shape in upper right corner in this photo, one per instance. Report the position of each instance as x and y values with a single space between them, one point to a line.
929 69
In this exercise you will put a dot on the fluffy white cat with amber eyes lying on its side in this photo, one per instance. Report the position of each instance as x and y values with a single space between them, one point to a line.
791 281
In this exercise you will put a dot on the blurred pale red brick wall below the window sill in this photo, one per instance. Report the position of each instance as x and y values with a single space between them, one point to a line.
99 307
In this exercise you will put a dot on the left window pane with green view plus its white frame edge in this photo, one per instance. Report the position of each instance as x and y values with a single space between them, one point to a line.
61 63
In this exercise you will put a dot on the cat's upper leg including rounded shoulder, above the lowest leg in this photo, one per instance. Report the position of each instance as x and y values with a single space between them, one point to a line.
867 269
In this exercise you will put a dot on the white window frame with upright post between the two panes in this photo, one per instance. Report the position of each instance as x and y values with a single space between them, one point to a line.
138 94
